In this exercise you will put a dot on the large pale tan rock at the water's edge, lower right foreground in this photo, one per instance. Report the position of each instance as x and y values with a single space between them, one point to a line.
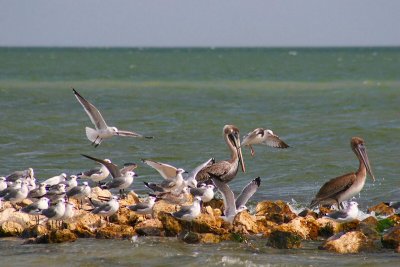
351 242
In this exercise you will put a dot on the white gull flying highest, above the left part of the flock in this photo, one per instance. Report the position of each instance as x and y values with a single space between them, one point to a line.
102 130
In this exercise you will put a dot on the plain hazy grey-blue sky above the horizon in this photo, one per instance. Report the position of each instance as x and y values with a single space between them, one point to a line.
199 23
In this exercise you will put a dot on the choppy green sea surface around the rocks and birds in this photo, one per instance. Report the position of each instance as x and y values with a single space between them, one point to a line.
314 99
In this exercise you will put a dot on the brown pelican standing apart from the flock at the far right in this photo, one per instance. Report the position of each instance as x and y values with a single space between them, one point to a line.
346 186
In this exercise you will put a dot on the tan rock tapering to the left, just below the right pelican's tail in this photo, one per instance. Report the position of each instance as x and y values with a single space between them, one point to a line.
304 227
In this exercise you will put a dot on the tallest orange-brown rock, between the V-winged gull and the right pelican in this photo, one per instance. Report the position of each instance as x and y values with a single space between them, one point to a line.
277 211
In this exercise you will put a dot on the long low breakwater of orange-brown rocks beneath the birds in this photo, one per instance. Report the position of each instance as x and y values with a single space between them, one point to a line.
273 221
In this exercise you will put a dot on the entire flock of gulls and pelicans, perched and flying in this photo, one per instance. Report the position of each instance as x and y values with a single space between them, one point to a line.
51 197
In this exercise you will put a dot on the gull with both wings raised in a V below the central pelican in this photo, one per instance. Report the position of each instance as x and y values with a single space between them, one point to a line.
234 206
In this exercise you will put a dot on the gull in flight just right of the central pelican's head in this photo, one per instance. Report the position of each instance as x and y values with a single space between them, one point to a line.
264 137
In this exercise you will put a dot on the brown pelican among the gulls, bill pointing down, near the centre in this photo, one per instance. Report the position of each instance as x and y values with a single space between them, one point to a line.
226 170
